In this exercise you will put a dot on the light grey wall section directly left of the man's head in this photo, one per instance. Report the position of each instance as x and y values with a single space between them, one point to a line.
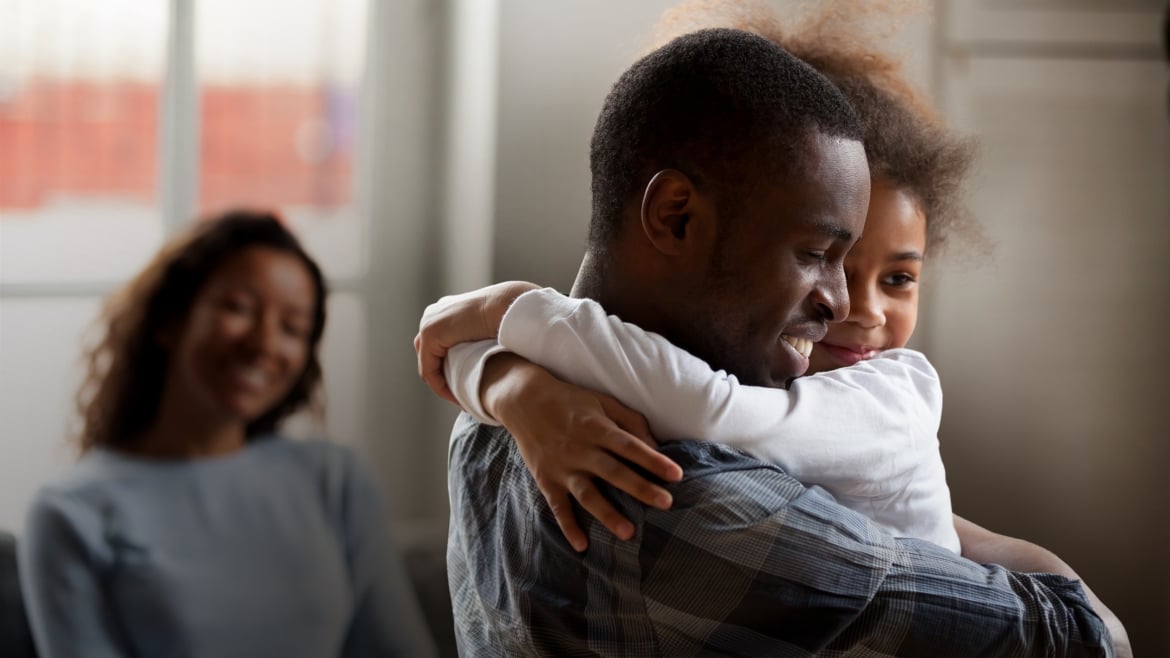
558 63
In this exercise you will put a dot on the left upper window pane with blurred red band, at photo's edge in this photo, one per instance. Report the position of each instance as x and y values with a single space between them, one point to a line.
80 88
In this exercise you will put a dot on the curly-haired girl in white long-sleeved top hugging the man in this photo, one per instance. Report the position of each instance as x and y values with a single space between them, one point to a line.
864 427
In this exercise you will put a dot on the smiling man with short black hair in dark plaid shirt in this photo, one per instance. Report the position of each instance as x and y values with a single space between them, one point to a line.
729 182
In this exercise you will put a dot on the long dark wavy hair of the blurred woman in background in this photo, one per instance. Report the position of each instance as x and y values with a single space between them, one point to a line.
127 369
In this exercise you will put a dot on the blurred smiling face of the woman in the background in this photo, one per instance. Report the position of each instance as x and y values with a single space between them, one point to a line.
246 341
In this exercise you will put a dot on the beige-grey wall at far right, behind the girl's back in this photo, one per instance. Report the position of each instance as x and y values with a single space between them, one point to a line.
1050 351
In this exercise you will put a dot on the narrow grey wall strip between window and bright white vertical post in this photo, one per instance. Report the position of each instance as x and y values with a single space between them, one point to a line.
407 436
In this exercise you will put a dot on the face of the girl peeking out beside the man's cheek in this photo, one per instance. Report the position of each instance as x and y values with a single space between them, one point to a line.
883 272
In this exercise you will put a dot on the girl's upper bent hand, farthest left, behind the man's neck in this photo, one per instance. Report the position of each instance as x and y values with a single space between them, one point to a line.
459 319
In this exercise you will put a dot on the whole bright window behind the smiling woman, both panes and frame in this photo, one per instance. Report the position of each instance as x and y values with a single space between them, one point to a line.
121 121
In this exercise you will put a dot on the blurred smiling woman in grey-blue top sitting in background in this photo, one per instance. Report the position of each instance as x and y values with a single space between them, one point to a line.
190 527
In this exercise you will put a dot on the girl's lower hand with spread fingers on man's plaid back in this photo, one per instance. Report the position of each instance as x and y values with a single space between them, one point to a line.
568 436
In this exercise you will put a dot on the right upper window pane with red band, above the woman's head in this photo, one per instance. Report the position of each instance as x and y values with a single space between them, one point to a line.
279 115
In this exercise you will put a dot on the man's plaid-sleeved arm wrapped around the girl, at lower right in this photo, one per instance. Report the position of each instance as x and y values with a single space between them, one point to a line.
787 568
